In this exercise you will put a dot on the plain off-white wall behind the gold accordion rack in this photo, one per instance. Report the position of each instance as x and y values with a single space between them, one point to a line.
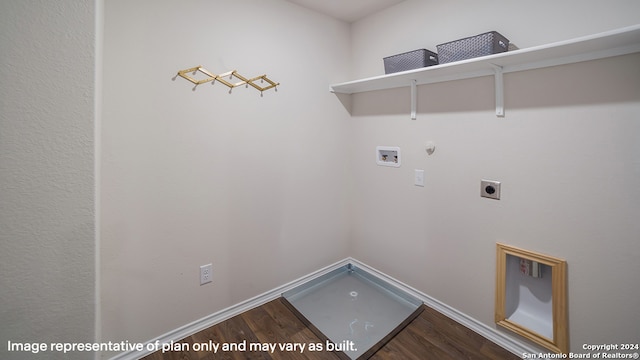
254 185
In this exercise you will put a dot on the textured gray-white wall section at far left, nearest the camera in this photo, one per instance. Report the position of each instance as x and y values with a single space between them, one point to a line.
46 173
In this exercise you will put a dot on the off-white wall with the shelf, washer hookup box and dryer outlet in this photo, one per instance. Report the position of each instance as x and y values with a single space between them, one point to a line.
566 152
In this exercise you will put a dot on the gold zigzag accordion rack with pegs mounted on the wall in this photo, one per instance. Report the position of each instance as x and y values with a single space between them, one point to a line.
211 77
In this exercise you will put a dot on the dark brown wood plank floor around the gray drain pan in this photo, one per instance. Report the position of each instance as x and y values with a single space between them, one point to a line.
431 335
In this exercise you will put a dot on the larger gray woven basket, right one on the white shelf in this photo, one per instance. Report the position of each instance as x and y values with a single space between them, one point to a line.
475 46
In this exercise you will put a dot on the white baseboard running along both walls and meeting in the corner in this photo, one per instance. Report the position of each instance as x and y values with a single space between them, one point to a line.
180 333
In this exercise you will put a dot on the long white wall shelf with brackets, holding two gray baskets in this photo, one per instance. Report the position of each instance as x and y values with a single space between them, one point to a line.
607 44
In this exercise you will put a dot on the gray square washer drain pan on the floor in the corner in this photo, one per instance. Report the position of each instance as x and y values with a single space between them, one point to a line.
356 312
